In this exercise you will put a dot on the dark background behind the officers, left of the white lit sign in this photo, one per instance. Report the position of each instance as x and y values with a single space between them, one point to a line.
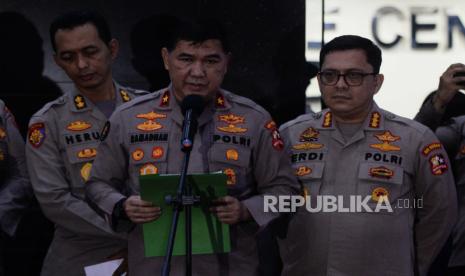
268 65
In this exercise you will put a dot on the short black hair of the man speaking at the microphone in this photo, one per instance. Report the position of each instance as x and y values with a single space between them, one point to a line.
198 31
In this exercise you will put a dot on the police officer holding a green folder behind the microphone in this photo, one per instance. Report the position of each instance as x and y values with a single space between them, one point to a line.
235 135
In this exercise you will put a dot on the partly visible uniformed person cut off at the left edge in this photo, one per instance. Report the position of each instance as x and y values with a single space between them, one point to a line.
15 189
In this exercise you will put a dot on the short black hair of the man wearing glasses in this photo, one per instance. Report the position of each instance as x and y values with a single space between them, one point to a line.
352 42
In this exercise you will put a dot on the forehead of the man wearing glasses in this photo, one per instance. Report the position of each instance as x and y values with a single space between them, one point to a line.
346 60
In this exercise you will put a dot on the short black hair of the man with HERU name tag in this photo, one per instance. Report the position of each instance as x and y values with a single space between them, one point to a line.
73 19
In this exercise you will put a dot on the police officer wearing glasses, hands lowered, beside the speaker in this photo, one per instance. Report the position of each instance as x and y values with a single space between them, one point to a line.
355 148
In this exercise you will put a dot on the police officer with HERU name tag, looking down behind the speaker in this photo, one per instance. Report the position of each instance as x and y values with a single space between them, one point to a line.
63 138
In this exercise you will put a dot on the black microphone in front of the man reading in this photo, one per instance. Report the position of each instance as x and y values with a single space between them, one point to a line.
191 107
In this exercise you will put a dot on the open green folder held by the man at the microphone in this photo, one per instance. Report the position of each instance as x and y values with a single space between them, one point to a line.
209 235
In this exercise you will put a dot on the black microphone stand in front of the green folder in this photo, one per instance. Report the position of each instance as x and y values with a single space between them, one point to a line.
183 200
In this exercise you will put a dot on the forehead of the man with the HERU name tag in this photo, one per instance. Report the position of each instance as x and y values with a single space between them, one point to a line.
77 38
